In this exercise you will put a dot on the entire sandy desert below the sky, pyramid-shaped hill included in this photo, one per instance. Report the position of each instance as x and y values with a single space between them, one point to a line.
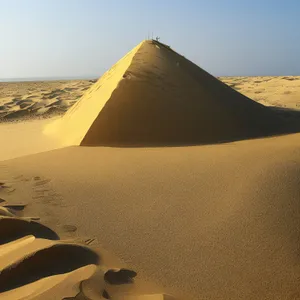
216 221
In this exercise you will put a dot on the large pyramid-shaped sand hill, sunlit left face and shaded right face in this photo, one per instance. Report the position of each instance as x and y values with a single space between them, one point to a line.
153 95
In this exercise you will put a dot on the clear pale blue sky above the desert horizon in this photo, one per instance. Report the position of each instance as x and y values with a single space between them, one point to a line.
78 38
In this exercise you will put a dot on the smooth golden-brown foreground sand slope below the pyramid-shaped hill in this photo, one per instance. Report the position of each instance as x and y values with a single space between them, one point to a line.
206 222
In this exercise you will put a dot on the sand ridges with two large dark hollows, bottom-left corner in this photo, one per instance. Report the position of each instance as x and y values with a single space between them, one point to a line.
33 265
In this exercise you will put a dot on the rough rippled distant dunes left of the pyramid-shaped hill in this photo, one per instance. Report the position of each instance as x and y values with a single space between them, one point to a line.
27 100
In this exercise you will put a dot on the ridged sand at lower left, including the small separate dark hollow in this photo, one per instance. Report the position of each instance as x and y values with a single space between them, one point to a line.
41 268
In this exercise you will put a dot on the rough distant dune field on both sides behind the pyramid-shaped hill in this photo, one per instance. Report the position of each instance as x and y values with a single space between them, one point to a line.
274 91
